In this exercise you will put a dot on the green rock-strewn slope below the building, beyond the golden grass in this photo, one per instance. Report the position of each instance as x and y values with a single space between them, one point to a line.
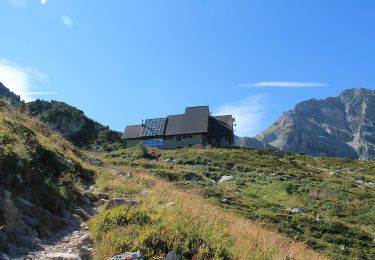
324 202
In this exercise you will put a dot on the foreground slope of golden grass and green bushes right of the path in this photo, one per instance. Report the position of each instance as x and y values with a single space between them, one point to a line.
169 218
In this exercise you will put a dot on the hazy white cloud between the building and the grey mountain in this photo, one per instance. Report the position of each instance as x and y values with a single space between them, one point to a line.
248 114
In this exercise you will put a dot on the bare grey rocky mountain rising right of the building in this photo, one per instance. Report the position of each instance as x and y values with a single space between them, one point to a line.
342 126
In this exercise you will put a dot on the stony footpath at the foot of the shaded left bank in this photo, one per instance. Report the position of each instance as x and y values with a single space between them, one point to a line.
71 243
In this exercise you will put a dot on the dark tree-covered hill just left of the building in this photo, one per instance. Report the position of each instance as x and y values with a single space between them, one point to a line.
74 125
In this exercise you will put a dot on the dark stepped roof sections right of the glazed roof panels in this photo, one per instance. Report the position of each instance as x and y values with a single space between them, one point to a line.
195 120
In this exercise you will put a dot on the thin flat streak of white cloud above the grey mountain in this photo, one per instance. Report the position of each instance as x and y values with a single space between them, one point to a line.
284 84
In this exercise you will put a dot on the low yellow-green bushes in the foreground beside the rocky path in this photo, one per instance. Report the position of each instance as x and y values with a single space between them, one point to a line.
155 233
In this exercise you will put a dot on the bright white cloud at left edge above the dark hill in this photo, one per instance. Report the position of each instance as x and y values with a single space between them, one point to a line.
22 80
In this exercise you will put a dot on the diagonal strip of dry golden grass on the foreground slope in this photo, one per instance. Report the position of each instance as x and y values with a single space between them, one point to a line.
251 240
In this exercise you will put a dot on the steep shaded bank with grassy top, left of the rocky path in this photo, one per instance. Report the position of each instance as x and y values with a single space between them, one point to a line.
41 177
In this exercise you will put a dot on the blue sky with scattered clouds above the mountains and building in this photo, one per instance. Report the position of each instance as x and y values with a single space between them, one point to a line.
122 61
